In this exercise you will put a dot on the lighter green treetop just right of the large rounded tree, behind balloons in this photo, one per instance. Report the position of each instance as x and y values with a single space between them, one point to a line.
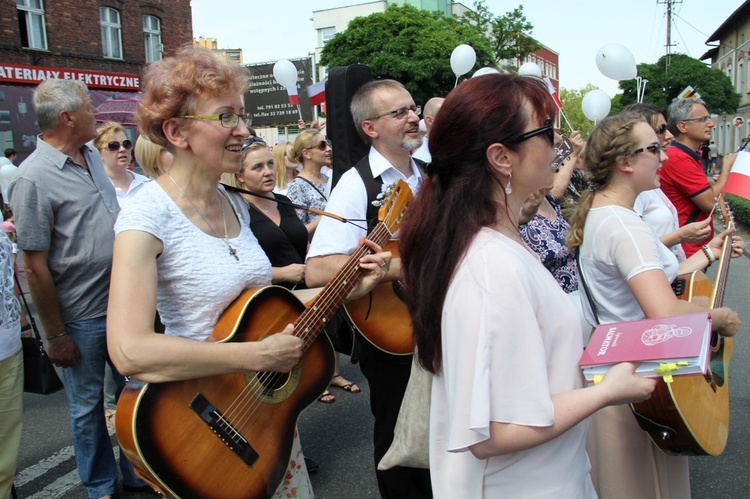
509 34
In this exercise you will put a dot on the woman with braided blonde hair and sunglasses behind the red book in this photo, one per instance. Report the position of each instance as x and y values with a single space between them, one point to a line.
626 273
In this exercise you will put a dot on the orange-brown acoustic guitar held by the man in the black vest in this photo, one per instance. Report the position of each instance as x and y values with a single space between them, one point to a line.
382 316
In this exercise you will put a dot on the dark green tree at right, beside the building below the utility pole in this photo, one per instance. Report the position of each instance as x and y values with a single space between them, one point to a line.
662 88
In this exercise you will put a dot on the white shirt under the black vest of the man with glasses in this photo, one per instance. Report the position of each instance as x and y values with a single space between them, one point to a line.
349 199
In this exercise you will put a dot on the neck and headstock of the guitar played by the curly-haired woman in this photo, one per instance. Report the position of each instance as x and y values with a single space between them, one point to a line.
312 321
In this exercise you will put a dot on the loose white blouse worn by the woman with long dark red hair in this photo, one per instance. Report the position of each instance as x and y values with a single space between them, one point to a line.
510 341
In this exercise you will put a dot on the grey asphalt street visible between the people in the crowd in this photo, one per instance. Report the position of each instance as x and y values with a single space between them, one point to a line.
338 436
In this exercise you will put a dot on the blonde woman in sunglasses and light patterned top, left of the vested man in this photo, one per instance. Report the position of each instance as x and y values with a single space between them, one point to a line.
309 186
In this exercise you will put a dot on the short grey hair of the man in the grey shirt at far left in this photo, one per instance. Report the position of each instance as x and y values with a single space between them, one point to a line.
54 96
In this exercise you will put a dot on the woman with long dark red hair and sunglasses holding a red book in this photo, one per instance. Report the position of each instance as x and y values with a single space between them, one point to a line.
508 410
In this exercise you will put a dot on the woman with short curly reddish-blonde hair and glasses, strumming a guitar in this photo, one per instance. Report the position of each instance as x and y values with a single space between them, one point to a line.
184 247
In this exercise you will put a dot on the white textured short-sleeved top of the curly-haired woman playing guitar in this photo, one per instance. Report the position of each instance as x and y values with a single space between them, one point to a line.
193 263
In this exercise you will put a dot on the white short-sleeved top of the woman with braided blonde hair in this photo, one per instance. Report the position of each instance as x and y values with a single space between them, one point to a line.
617 246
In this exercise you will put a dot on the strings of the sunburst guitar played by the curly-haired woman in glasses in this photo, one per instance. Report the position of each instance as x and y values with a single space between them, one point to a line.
250 398
